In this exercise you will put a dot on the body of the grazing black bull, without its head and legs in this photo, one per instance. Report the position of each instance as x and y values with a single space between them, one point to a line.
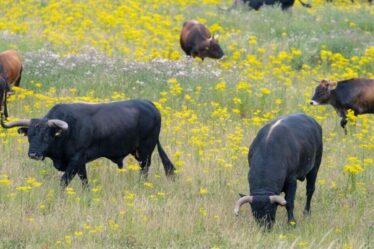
286 147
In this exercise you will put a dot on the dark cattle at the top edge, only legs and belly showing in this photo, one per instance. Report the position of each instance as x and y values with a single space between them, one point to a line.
257 4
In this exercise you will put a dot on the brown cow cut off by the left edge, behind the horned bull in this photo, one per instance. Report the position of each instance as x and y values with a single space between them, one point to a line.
10 74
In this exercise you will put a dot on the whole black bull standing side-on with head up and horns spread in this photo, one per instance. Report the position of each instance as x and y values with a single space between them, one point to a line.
74 134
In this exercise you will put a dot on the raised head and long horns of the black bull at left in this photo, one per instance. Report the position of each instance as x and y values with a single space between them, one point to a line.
41 133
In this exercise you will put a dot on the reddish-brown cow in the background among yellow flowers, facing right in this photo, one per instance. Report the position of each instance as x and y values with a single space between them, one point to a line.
196 41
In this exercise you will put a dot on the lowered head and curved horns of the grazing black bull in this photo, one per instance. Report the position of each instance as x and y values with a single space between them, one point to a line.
263 207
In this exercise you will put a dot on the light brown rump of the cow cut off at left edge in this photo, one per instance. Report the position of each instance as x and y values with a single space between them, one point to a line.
11 62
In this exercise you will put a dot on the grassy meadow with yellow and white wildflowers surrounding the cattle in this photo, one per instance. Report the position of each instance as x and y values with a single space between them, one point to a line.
100 51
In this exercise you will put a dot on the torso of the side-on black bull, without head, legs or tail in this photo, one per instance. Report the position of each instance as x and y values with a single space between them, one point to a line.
111 130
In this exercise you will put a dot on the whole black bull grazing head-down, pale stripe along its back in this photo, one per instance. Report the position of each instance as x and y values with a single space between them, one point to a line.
284 151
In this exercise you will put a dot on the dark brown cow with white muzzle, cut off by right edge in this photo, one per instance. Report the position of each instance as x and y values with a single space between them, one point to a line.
355 94
